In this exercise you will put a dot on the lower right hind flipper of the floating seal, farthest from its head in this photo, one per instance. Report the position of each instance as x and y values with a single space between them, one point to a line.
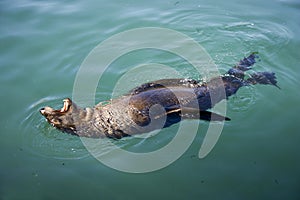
265 78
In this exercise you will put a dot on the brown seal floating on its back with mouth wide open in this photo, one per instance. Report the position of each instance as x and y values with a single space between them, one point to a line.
156 104
